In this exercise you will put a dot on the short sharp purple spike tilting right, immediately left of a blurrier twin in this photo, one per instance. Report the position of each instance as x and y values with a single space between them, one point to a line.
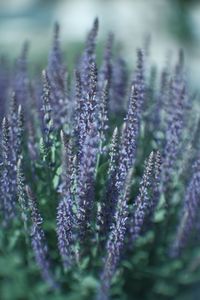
142 203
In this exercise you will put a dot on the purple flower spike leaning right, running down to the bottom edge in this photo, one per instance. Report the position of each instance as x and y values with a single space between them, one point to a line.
115 243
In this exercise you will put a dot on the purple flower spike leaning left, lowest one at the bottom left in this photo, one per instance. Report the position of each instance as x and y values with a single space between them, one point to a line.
38 240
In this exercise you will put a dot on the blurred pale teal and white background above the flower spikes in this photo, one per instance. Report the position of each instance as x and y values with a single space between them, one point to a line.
171 24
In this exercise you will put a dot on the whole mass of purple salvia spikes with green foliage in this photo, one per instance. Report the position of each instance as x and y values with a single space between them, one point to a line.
99 177
